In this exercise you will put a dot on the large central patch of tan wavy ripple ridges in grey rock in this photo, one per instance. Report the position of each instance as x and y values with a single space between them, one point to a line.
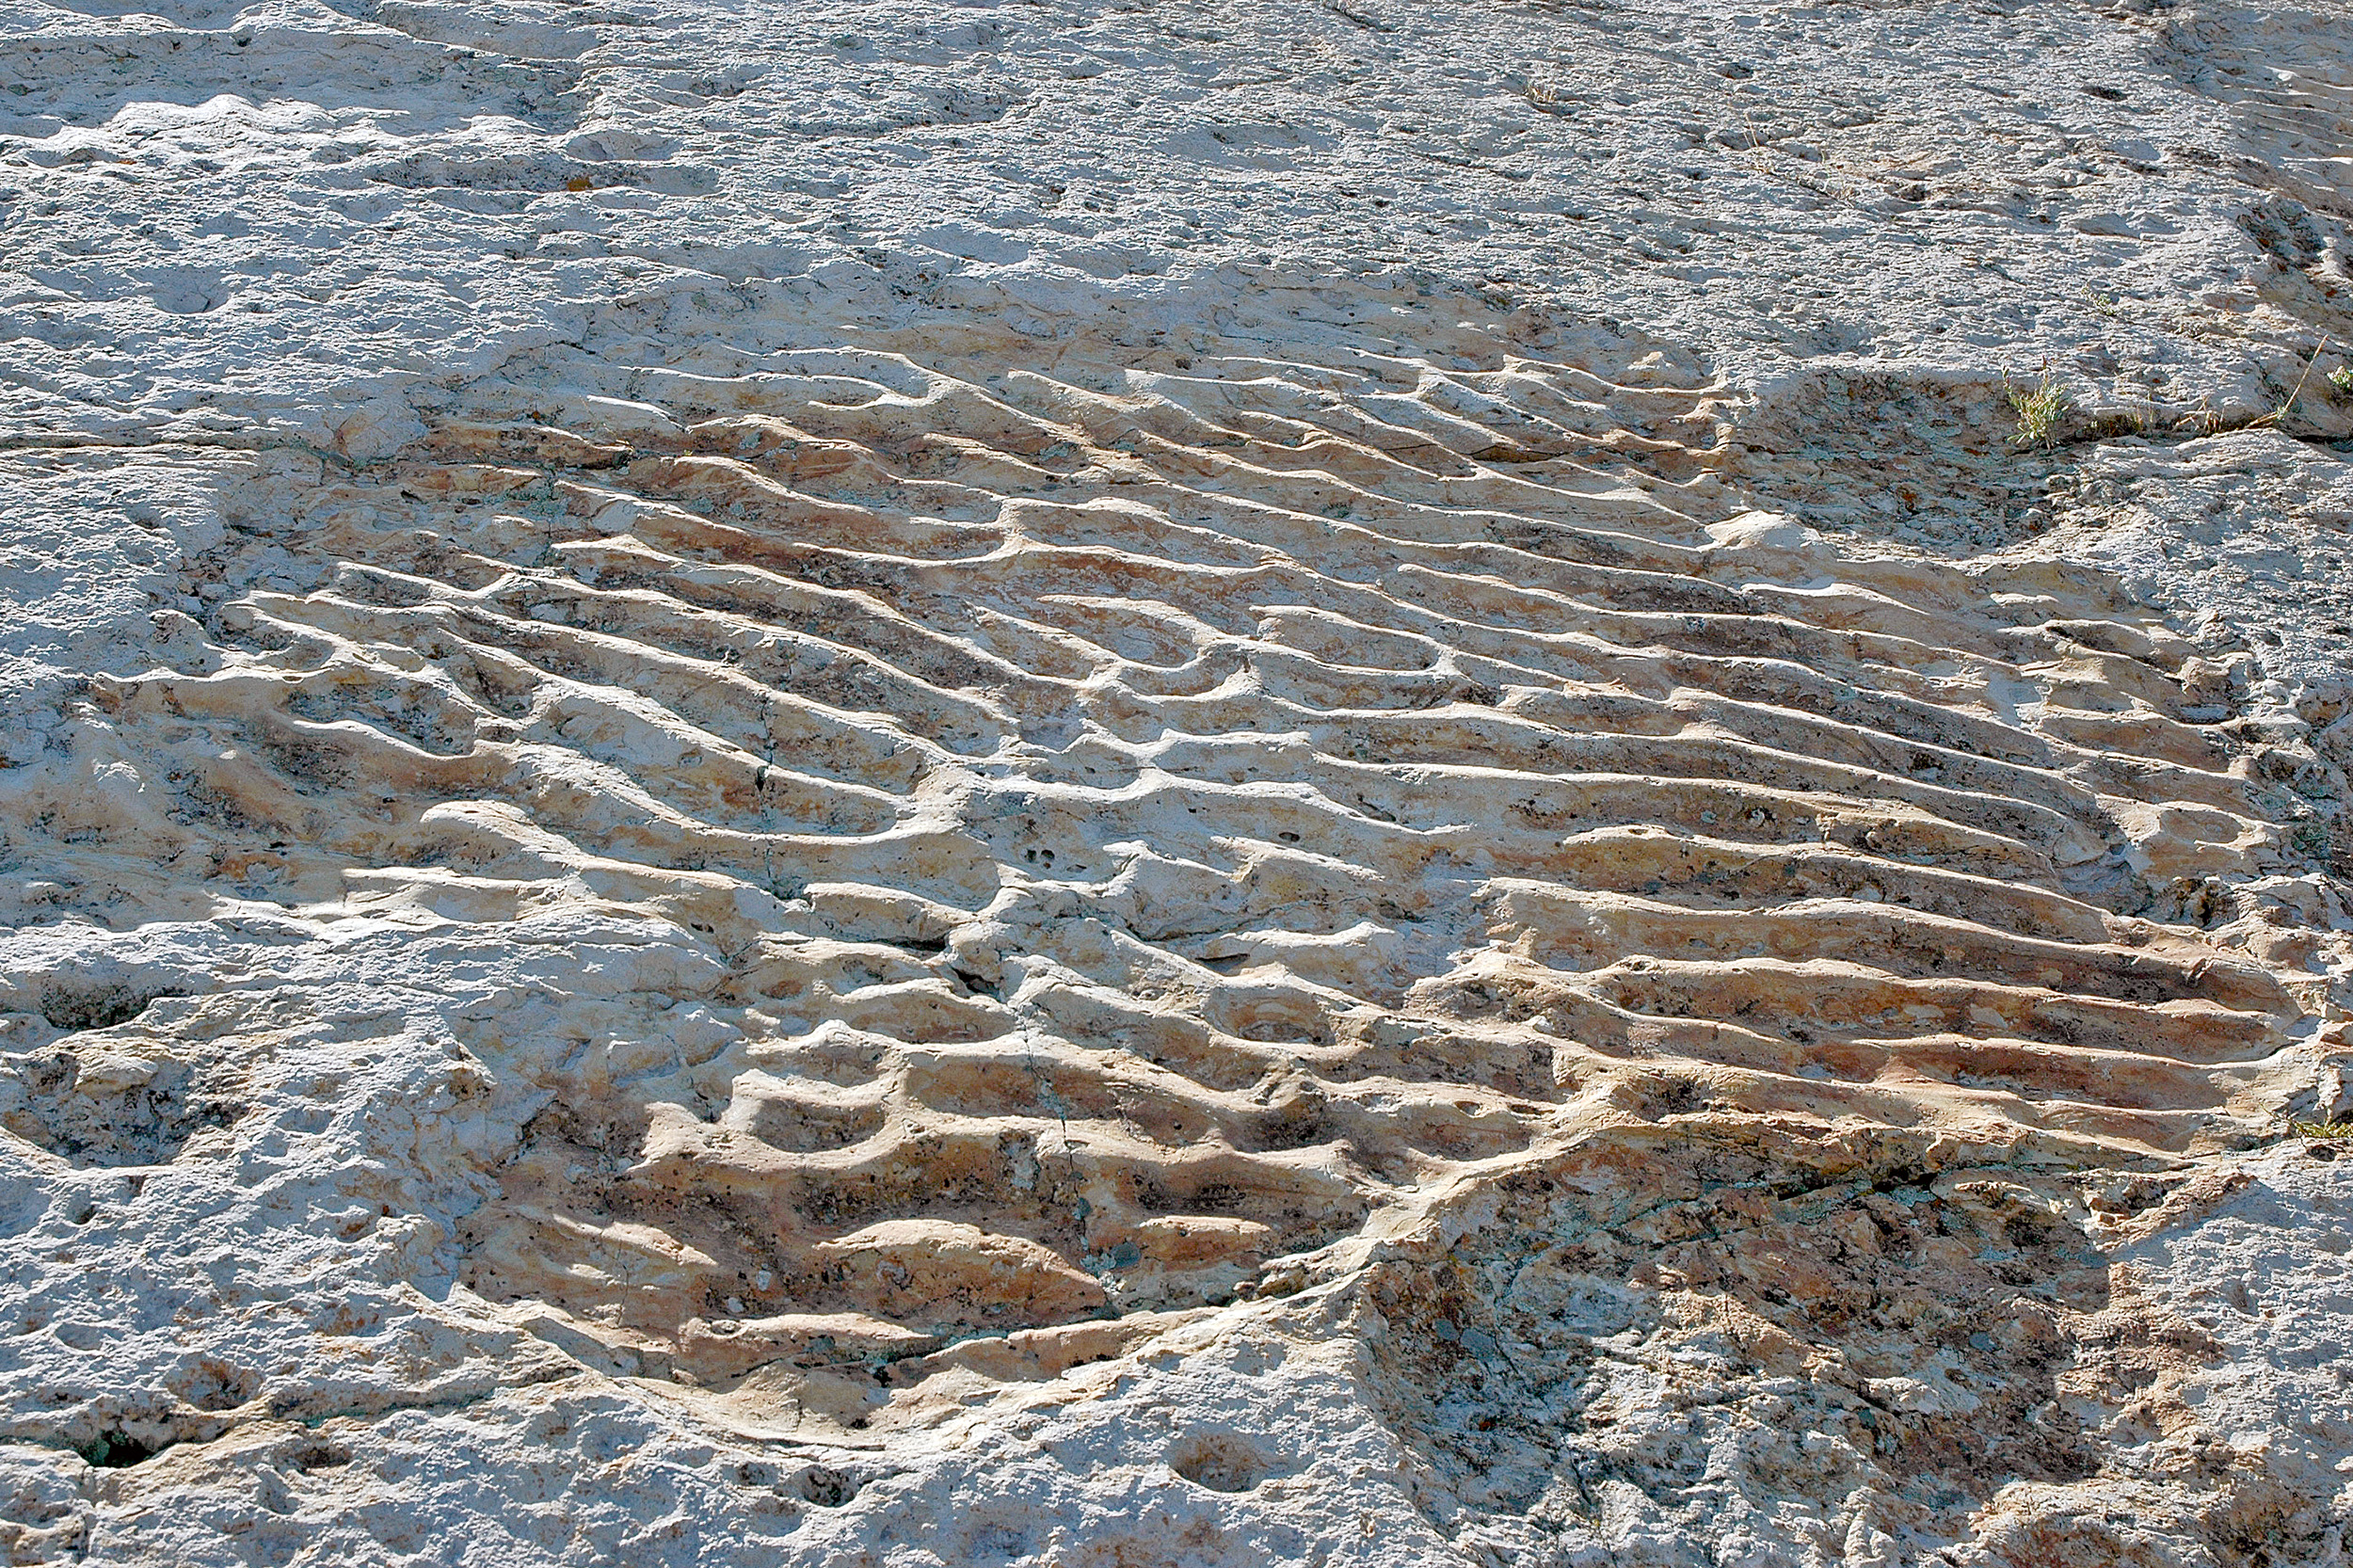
1166 823
